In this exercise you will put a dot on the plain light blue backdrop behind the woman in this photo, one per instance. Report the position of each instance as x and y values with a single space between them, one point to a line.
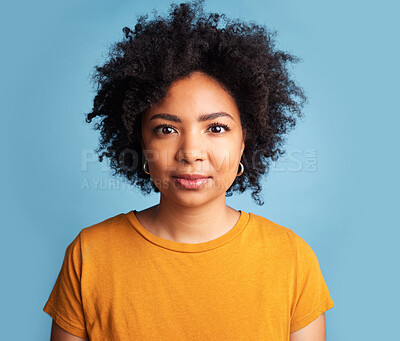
337 186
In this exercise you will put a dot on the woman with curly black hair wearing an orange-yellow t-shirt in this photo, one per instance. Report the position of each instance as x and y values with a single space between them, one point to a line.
193 112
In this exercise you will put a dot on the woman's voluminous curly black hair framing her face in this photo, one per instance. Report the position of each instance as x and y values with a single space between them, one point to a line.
241 56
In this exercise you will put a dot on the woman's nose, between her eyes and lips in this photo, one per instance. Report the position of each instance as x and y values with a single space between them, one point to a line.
190 148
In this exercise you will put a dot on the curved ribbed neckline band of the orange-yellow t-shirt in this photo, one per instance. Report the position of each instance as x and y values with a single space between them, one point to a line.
189 247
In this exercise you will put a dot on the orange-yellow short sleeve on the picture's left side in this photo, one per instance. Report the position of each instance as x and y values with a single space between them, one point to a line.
65 301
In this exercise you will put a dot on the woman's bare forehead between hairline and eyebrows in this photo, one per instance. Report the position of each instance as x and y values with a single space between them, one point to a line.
195 95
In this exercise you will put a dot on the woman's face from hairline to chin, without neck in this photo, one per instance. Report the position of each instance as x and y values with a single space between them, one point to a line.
194 129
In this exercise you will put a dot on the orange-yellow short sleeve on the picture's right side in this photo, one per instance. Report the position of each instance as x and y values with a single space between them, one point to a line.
312 297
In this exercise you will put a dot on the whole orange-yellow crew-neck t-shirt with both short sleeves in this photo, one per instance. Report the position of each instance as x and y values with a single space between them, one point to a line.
118 281
